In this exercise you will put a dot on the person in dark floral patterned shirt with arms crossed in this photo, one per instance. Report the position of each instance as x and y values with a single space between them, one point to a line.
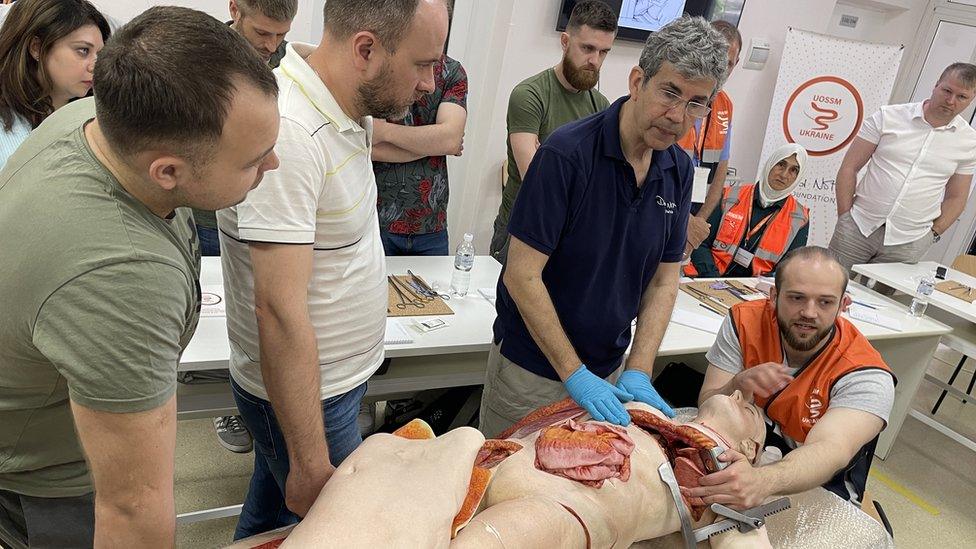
409 159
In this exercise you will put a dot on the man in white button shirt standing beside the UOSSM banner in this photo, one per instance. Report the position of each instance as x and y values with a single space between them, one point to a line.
920 160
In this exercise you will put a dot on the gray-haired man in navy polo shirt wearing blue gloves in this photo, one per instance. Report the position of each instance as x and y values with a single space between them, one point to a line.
598 234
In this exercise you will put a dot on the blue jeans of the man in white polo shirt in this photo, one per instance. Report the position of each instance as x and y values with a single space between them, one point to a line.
264 507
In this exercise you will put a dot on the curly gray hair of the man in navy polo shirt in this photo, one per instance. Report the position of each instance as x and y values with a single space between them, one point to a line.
692 46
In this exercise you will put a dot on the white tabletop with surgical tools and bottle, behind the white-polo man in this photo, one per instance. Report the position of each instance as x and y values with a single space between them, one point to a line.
468 330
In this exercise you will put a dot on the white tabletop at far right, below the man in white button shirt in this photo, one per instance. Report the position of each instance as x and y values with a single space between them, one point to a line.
904 277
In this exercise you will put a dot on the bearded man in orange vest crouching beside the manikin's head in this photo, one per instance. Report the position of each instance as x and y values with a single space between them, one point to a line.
825 392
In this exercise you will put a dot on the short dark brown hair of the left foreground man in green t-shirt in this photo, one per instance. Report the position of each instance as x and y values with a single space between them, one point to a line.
152 90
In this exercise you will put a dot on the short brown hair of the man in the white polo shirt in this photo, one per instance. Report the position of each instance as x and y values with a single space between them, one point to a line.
387 19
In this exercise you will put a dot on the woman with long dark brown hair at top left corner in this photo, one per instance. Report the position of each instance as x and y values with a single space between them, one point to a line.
47 55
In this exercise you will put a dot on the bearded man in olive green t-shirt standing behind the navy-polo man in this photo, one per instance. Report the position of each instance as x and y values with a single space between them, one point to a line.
556 96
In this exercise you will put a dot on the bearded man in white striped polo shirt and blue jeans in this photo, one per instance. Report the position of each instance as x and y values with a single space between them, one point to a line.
303 264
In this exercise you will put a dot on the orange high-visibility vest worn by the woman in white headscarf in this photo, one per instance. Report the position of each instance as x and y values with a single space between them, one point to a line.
777 236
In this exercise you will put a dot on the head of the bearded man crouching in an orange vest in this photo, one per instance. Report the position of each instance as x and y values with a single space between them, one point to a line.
808 296
